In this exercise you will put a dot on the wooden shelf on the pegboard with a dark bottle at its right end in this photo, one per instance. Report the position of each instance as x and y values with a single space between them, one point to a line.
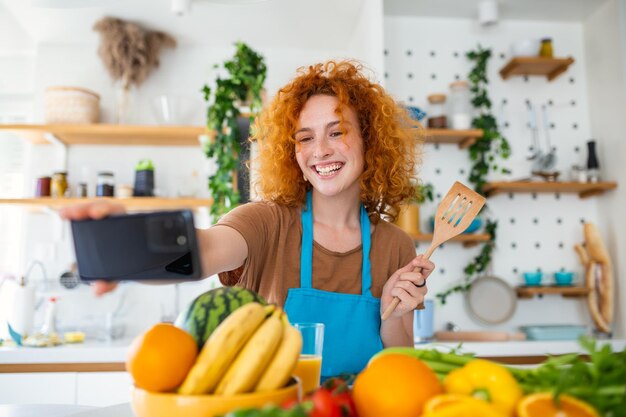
583 189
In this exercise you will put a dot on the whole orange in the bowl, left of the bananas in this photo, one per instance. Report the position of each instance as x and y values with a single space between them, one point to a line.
159 359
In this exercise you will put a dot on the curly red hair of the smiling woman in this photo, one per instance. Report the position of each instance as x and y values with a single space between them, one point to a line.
391 139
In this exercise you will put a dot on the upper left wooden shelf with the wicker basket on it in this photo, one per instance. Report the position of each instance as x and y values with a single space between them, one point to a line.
107 134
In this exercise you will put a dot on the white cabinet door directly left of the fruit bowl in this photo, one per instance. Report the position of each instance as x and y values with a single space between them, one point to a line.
103 388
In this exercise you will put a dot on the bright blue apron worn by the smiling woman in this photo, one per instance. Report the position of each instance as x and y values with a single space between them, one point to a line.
351 321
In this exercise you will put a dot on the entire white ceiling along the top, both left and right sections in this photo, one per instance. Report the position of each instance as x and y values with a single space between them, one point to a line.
273 23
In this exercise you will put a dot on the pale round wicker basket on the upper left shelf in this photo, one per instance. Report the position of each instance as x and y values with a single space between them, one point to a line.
71 105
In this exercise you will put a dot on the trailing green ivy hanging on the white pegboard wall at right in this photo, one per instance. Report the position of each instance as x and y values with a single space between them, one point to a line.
485 155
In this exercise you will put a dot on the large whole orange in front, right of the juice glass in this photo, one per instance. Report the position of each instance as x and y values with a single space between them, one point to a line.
394 385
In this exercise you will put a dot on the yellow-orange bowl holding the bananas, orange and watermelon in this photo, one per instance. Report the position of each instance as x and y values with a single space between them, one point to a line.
157 404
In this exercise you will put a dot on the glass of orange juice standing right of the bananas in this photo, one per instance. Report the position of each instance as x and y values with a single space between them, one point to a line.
309 368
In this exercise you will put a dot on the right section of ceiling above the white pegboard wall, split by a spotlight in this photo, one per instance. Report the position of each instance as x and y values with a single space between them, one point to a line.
552 10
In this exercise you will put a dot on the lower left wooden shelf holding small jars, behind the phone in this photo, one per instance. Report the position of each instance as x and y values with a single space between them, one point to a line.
133 203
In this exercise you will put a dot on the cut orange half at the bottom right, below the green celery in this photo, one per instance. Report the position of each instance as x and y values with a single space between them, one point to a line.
543 405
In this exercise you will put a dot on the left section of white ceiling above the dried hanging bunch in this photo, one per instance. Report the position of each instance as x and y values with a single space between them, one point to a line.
276 23
